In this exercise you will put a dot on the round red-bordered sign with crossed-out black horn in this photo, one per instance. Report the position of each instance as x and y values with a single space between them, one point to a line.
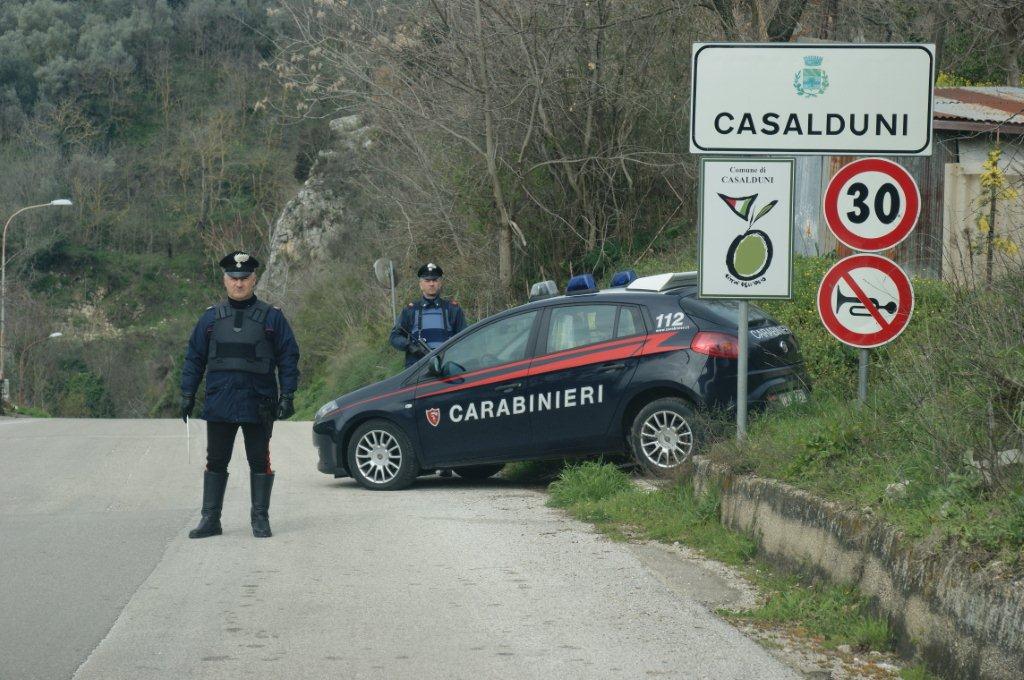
866 301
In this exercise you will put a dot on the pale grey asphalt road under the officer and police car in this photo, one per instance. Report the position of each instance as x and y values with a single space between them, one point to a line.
99 580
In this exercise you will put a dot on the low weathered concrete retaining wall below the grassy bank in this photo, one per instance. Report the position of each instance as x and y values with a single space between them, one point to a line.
963 622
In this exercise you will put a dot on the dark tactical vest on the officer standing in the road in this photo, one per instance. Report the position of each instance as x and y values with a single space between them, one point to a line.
239 342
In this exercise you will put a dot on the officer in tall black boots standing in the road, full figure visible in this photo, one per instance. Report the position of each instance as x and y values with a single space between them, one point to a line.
240 344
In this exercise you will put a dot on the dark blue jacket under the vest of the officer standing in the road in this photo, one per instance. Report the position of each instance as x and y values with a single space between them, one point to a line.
234 397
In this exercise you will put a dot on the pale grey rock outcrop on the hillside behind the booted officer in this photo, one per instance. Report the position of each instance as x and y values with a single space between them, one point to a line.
320 215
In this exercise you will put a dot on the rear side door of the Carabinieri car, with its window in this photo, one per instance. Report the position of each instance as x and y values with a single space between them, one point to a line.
585 361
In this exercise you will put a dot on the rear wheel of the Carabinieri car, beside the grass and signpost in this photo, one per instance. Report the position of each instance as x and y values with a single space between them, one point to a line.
664 436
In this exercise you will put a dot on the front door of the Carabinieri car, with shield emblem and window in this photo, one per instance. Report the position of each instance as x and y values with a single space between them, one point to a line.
478 409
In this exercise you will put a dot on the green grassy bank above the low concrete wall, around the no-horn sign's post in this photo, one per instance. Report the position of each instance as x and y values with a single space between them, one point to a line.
935 451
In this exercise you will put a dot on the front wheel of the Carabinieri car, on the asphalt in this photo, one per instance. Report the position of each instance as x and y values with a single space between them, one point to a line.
381 457
